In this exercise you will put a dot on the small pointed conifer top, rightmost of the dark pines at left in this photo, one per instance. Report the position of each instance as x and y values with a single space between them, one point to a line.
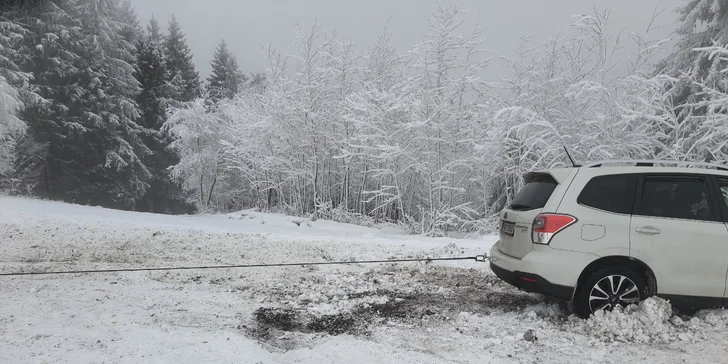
225 79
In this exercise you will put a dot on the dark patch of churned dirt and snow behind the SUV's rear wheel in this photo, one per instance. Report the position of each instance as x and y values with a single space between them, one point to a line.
363 300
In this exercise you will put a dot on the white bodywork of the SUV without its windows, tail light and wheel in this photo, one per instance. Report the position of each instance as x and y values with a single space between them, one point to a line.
689 259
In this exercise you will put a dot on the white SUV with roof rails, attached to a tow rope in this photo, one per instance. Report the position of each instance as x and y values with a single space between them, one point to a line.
616 232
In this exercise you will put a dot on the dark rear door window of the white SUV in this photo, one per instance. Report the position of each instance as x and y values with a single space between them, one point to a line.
677 197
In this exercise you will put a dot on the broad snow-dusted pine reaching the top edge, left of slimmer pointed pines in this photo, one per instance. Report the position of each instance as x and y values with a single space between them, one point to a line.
103 145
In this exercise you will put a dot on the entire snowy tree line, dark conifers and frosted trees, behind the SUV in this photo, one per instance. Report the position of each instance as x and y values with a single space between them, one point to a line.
97 109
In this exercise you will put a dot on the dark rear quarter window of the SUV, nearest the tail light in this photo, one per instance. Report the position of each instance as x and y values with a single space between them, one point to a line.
613 193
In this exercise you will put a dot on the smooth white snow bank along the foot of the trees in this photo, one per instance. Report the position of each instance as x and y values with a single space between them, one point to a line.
18 210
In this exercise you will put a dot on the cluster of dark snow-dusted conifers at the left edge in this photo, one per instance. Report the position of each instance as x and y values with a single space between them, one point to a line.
84 94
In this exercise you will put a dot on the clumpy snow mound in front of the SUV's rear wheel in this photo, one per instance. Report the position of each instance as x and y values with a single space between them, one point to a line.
650 322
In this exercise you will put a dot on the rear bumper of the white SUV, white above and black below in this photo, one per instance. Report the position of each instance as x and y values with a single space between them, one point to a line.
543 270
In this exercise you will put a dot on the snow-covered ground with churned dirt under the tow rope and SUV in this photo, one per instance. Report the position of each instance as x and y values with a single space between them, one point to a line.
448 312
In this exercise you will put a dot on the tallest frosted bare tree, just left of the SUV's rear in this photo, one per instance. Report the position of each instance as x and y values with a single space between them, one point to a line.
449 93
